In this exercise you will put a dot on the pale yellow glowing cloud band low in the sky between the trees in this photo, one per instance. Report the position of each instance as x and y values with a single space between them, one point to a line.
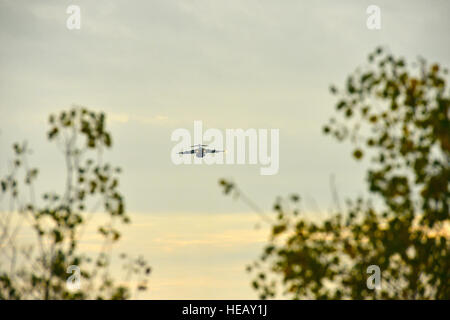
193 256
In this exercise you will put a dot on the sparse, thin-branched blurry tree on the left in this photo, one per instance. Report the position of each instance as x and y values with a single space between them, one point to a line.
40 270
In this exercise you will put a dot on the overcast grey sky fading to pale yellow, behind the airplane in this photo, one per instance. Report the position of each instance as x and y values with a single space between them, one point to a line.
156 66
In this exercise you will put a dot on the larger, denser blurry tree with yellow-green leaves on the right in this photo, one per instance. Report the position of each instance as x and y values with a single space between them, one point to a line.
399 117
